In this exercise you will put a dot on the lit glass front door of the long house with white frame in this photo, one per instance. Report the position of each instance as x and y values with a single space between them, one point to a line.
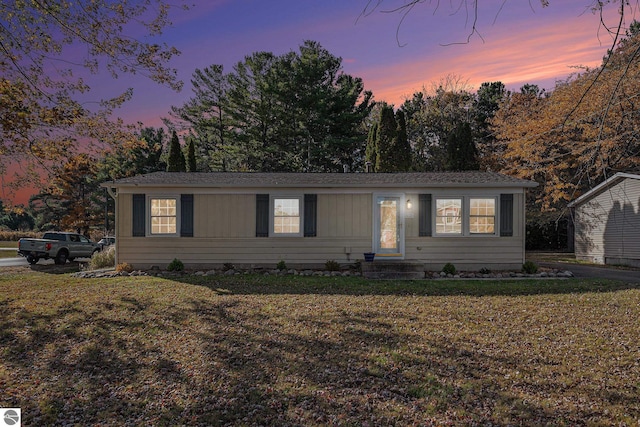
388 233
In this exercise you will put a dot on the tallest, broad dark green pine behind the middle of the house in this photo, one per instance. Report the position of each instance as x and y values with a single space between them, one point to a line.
294 112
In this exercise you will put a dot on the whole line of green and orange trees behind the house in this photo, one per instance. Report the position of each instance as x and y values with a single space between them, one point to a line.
299 112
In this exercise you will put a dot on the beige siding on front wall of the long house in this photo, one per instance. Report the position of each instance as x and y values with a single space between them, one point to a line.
224 232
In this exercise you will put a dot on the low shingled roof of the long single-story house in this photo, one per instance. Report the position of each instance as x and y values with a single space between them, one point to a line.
320 180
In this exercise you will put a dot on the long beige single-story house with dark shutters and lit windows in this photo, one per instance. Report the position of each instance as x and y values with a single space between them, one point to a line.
472 219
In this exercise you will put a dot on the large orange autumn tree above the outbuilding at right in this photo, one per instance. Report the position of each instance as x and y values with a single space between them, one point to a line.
569 146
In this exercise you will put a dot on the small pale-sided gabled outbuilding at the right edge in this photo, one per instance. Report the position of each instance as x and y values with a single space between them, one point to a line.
607 222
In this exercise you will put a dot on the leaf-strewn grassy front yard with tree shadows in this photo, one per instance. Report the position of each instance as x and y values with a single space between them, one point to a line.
255 350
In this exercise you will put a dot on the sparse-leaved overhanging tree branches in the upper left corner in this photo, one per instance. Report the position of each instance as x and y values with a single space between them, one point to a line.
42 118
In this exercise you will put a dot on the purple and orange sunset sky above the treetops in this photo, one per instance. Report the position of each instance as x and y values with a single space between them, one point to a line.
516 42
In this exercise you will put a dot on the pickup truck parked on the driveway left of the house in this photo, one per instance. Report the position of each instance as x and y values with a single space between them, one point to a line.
60 246
